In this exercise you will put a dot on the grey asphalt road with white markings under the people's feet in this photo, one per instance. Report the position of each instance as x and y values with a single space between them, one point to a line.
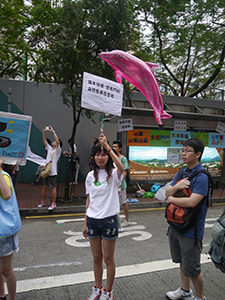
55 261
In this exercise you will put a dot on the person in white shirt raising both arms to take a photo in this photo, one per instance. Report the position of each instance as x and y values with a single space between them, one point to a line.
53 155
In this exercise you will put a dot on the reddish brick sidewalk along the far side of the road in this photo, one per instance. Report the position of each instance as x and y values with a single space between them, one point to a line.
29 197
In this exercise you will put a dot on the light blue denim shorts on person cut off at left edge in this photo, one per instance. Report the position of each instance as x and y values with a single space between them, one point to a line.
9 245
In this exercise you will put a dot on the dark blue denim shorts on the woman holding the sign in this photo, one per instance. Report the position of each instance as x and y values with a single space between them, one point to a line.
106 228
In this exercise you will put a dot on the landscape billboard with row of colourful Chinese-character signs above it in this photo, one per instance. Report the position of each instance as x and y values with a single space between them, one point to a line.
162 157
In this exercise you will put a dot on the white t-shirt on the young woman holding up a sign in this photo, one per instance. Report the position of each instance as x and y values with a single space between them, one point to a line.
104 199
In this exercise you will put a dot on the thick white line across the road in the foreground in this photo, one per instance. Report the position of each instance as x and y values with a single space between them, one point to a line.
84 277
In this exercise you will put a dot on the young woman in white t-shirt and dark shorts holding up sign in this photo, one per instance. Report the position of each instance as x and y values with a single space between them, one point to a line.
102 206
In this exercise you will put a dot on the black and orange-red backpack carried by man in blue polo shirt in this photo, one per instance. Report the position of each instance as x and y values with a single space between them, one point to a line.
180 218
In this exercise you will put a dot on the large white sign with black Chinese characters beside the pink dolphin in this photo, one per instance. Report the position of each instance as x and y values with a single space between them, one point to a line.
101 94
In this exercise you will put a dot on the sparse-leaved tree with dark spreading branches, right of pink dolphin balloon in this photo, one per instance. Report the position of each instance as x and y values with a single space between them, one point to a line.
188 38
